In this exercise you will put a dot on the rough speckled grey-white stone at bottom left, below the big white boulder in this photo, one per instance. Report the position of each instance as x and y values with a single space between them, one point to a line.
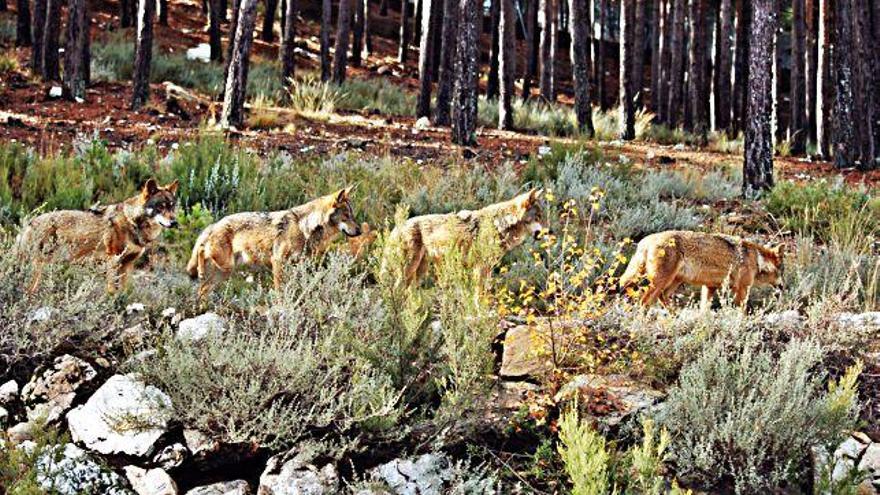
69 470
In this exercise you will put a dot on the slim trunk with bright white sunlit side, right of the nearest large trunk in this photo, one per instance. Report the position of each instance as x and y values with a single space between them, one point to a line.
825 99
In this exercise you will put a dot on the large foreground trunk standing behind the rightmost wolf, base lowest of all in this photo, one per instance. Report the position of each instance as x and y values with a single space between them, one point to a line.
758 164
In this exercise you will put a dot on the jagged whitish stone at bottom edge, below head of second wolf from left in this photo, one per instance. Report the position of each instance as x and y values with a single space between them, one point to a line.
296 477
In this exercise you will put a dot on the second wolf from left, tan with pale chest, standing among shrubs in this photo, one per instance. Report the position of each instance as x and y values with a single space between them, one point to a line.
270 239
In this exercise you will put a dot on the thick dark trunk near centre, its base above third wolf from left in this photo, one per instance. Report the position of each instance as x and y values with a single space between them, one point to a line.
464 101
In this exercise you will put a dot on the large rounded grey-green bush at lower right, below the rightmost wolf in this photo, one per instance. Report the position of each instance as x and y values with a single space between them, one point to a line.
739 412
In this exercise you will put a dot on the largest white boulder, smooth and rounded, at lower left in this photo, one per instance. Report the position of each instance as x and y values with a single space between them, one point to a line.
124 416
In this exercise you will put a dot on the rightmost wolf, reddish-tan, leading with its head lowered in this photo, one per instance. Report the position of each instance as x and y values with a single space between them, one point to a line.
672 258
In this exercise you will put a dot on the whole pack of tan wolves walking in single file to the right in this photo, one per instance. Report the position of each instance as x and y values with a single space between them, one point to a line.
117 236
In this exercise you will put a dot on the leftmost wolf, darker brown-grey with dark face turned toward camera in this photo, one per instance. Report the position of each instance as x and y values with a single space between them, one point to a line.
117 235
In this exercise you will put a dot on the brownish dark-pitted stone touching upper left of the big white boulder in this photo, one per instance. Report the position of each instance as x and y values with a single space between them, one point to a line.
52 393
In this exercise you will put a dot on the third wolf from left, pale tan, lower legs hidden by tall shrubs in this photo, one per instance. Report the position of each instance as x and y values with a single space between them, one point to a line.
425 239
